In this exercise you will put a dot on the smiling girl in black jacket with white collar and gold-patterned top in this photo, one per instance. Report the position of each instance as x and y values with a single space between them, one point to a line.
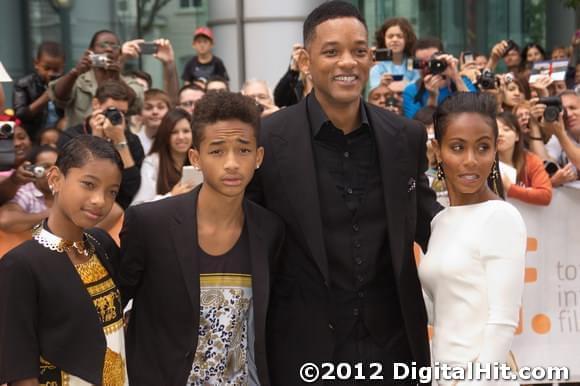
61 319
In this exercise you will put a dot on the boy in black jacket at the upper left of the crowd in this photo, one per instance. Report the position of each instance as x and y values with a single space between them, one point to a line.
31 102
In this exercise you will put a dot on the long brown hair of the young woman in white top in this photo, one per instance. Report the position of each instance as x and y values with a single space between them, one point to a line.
168 175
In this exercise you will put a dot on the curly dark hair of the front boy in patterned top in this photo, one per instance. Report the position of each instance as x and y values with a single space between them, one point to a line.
224 106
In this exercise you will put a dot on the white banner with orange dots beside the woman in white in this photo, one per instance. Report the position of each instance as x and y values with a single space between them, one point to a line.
549 332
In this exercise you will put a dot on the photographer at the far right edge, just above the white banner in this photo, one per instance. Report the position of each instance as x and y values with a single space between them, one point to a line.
564 146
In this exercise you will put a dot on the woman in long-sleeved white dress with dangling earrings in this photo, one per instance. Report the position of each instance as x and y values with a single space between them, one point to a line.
473 272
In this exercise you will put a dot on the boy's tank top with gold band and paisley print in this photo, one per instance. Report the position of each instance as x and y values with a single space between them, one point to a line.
225 347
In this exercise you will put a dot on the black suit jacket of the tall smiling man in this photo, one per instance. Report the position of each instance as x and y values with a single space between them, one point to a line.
299 325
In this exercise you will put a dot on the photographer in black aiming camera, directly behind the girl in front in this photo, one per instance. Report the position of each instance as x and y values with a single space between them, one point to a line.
107 120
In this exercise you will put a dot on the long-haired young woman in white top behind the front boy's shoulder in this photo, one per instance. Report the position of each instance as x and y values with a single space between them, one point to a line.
161 169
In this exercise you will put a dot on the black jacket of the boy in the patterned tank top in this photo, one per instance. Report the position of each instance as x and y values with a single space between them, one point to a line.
159 270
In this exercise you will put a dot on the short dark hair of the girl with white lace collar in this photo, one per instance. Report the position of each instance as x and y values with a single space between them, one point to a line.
86 148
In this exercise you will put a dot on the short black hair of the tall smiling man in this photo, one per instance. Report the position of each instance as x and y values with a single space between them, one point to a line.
327 11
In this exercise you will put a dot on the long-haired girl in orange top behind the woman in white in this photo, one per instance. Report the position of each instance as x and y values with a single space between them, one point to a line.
532 184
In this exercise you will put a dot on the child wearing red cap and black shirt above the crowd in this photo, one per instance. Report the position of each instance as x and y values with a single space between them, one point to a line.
205 64
